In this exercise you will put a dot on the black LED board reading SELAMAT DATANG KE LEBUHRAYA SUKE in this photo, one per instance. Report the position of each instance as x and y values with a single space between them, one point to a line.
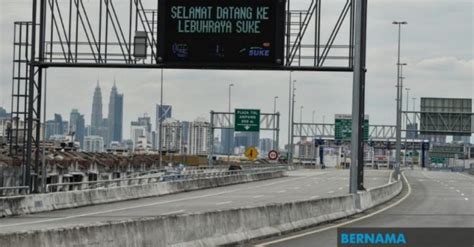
221 32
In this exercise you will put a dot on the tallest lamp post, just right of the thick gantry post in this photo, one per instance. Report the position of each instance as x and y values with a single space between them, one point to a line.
399 99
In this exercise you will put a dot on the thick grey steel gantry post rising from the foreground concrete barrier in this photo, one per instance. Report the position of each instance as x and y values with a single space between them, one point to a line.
358 98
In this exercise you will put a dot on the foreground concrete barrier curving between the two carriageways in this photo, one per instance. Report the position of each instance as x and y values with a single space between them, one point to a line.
208 228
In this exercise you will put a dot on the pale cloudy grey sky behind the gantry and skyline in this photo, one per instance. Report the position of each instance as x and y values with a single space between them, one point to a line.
437 44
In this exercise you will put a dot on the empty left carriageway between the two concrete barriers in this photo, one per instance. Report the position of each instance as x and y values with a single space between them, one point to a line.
299 185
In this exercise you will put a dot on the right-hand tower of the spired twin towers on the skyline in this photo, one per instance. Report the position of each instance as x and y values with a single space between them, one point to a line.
115 116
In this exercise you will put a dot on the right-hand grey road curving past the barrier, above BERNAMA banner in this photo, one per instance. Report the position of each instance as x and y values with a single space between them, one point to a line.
435 199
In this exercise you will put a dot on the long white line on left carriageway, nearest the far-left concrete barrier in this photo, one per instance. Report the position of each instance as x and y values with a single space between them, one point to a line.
155 203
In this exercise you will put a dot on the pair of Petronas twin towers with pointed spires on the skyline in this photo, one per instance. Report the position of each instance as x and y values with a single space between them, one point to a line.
109 128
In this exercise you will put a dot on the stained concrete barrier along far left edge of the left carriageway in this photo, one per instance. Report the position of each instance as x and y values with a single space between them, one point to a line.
34 203
